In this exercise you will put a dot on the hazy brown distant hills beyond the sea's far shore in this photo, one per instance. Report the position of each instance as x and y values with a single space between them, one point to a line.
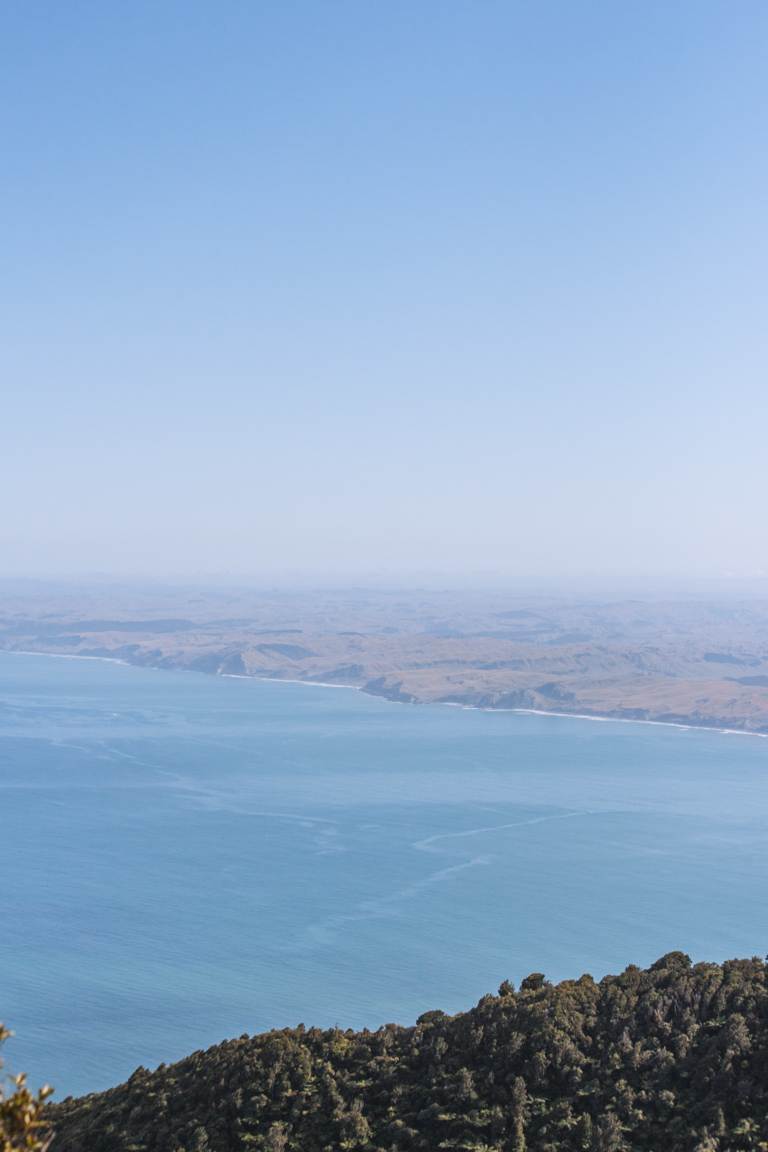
691 662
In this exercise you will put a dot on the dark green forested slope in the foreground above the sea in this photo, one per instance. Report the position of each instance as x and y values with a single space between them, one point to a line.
674 1059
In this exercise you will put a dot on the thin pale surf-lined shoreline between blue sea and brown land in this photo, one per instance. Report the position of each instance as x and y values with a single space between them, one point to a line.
451 704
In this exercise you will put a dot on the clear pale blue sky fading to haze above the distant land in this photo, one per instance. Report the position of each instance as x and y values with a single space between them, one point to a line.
384 287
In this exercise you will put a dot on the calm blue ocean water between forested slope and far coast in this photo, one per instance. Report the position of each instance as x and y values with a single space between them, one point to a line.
185 858
